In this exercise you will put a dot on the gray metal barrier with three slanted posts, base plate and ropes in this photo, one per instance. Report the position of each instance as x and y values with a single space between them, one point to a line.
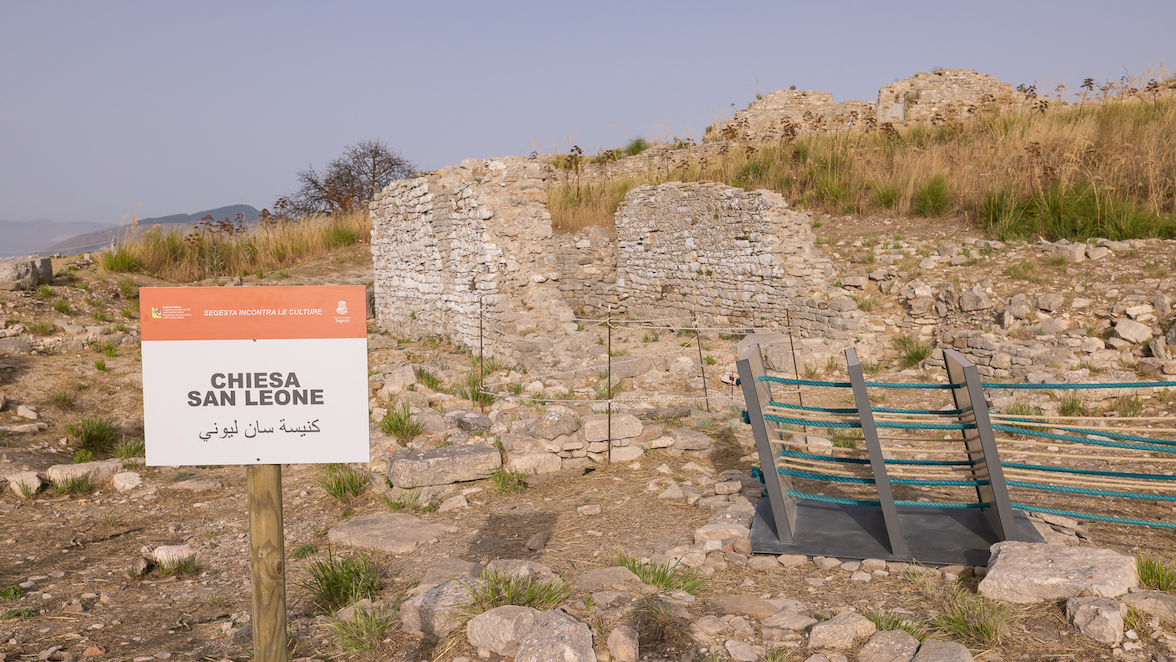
848 525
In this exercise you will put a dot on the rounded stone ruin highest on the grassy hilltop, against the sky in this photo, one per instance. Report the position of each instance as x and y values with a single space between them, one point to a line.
944 96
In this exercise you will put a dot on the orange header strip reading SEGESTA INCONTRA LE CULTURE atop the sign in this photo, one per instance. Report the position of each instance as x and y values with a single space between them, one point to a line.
245 313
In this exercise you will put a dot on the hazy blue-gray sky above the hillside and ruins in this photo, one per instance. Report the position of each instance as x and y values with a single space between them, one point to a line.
185 106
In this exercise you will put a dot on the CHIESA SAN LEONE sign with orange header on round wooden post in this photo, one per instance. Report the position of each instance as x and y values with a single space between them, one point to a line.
258 377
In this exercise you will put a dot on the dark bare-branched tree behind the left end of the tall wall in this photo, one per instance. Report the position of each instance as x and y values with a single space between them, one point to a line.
350 182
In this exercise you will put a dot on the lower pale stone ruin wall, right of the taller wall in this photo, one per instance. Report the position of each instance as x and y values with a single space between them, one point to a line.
726 256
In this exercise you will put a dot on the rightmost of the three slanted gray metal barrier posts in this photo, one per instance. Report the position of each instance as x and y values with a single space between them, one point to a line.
981 445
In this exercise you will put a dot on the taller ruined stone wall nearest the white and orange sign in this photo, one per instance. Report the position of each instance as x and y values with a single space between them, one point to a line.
480 236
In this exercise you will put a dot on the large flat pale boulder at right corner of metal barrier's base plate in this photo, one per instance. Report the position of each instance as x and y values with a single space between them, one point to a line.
1026 572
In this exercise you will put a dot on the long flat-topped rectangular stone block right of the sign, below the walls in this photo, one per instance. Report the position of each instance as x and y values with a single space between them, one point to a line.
443 466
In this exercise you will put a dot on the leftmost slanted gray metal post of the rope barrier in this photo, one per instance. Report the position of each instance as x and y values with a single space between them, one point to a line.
757 396
